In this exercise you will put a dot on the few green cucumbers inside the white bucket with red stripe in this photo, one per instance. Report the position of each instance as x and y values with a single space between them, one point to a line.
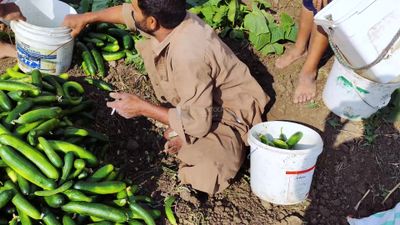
282 141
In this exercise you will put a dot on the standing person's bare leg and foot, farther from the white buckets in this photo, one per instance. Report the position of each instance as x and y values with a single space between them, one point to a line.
300 48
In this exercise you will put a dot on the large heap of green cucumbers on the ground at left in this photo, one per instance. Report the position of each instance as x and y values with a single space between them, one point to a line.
49 172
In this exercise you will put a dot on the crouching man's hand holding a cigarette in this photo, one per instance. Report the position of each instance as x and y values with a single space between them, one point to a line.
127 105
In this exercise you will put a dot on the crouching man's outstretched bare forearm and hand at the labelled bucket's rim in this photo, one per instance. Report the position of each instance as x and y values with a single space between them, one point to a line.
78 22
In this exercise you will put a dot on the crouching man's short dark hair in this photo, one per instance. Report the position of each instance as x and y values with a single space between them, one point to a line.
169 13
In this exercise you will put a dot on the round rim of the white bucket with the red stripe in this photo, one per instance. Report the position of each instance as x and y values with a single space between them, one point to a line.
317 147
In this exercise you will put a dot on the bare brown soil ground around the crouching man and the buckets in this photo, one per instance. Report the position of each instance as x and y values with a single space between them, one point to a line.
358 157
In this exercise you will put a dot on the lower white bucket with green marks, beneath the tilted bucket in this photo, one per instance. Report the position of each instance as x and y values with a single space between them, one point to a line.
354 97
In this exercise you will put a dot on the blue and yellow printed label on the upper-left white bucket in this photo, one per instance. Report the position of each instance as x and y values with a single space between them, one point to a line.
31 58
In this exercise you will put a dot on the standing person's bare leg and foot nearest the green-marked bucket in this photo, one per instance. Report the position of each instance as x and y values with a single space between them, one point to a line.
307 86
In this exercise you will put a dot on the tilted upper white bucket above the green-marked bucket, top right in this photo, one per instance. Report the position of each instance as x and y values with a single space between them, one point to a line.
362 29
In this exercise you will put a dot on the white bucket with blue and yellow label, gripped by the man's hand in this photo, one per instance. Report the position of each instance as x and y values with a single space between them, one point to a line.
40 41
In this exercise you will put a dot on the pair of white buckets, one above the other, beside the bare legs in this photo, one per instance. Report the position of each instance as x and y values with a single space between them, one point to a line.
362 31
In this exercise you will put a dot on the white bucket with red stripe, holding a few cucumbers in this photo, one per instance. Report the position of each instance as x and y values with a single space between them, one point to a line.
283 176
